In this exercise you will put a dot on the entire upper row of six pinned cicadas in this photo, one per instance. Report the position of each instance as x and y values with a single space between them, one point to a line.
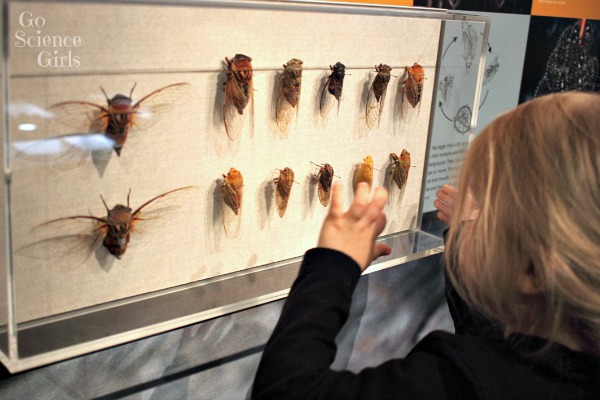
121 114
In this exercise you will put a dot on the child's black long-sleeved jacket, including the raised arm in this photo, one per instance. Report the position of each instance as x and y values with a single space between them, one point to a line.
296 360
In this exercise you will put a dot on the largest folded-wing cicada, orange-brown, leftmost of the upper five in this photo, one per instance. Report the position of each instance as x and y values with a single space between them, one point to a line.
239 92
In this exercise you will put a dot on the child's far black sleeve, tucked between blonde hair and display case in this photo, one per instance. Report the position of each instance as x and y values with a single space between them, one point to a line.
467 321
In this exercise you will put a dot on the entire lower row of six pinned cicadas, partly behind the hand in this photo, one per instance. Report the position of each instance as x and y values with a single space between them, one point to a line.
115 229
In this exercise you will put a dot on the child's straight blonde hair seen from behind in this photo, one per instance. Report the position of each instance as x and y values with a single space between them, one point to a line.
535 175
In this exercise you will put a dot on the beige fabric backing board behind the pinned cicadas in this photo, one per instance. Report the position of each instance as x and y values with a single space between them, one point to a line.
155 46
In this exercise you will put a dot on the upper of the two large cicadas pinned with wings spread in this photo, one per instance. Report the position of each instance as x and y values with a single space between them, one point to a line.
120 114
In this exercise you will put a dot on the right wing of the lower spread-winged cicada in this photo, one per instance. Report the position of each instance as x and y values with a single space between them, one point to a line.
160 208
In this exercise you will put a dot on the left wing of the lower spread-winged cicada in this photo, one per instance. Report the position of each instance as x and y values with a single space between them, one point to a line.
71 239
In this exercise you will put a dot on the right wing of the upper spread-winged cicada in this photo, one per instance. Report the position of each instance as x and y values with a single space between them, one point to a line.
148 110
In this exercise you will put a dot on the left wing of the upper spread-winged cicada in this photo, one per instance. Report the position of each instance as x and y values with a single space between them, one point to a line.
81 116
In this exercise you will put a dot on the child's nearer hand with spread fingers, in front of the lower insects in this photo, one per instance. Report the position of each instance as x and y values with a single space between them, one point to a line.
354 232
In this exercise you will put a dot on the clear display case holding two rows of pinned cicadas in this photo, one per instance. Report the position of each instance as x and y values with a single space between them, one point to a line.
169 163
